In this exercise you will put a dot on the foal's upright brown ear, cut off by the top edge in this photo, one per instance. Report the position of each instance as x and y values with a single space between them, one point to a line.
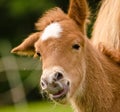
78 11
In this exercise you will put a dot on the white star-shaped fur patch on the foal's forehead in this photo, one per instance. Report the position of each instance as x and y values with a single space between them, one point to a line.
51 31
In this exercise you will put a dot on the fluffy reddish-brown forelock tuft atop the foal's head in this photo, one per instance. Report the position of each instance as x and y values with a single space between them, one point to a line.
53 15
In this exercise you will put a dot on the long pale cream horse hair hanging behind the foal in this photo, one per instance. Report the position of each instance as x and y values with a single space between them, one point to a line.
107 26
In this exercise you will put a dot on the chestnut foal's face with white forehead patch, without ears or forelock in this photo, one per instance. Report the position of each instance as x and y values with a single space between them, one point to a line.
61 47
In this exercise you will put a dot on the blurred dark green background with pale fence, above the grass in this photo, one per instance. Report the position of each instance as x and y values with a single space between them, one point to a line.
19 76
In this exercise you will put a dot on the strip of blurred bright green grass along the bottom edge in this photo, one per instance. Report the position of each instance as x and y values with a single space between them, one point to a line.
37 107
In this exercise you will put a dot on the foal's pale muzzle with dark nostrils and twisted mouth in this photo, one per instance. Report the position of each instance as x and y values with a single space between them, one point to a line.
54 83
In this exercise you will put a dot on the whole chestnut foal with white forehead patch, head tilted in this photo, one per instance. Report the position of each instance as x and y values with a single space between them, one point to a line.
73 70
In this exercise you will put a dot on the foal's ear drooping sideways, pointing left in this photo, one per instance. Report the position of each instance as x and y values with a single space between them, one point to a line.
27 46
